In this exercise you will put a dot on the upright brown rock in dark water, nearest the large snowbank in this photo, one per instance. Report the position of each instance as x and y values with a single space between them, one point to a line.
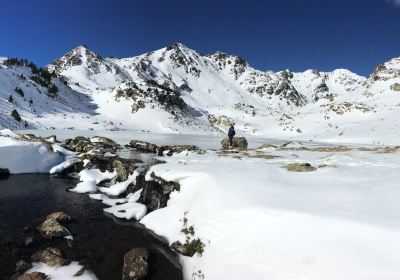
135 264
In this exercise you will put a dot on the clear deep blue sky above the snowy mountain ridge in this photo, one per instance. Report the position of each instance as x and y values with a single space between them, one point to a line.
270 34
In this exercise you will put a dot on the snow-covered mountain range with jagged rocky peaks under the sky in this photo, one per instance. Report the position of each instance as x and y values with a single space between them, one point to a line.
176 89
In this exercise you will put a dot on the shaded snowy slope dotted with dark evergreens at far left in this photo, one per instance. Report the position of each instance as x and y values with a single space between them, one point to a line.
27 92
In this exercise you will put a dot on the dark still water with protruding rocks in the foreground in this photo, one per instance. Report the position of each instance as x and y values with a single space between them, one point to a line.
100 241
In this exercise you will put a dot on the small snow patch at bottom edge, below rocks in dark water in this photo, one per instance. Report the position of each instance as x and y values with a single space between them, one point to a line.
64 272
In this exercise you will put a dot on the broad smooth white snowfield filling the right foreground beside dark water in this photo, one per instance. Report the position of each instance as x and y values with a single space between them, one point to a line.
260 221
